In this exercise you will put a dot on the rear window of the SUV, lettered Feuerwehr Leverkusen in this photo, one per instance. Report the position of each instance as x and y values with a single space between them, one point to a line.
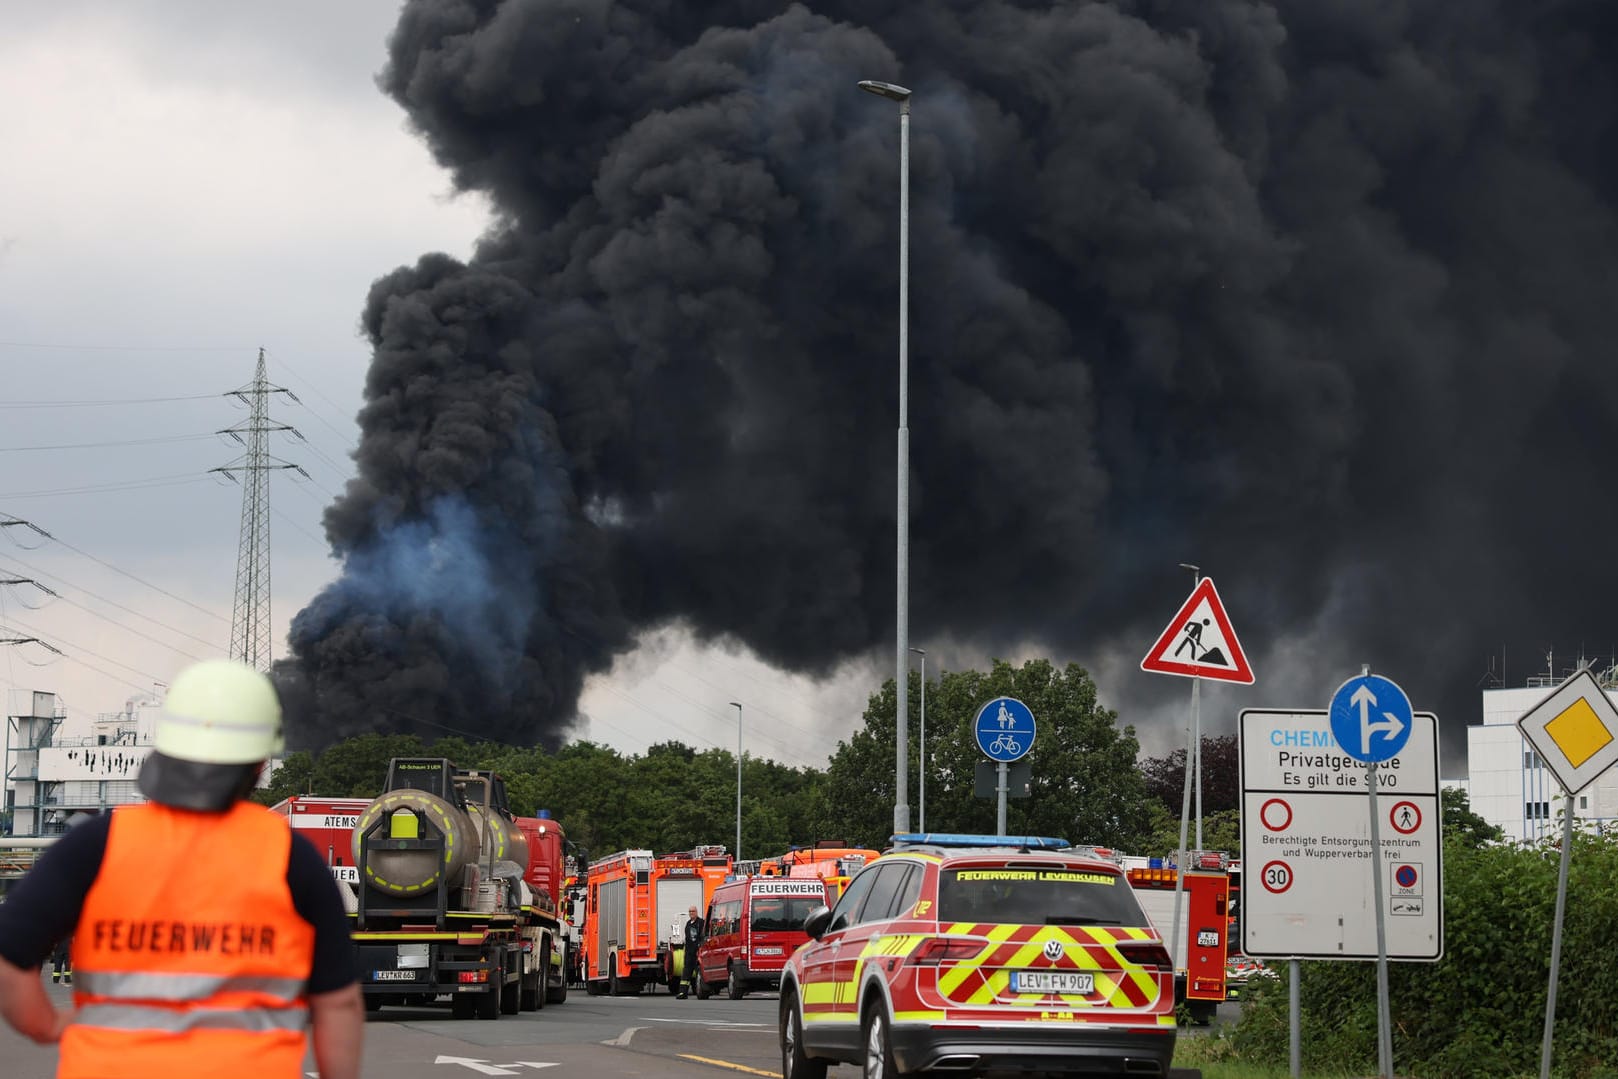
1038 897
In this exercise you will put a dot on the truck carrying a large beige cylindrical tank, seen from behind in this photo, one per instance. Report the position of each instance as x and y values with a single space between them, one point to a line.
457 897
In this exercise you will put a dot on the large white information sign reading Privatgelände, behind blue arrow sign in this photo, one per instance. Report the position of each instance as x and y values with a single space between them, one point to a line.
1307 844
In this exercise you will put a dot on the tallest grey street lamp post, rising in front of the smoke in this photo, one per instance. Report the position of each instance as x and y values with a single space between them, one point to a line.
902 619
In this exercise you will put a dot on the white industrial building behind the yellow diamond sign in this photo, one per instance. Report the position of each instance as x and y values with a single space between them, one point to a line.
1510 787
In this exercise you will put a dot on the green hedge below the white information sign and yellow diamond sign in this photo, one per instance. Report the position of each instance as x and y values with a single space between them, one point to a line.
1480 1013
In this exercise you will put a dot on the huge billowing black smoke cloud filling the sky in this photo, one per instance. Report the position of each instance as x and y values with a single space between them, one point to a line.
1315 294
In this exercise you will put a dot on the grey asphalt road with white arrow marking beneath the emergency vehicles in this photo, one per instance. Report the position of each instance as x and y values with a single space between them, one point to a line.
654 1036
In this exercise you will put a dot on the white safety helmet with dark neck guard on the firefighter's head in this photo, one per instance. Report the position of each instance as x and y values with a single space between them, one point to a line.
219 722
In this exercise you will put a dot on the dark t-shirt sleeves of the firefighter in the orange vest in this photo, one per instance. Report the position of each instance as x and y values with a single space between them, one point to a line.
46 905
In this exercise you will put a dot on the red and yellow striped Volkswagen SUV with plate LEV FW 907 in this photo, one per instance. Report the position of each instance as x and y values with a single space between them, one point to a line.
981 954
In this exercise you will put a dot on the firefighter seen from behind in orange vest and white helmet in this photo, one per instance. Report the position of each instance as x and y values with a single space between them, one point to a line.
208 939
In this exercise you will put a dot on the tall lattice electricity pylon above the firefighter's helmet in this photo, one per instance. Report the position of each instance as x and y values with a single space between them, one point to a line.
250 620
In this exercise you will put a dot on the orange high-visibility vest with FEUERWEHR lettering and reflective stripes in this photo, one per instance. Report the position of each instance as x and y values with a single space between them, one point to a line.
190 960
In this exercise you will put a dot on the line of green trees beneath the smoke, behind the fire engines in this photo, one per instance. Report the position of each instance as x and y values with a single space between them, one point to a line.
1090 781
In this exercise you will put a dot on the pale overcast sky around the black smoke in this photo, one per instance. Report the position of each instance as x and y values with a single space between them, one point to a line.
188 184
